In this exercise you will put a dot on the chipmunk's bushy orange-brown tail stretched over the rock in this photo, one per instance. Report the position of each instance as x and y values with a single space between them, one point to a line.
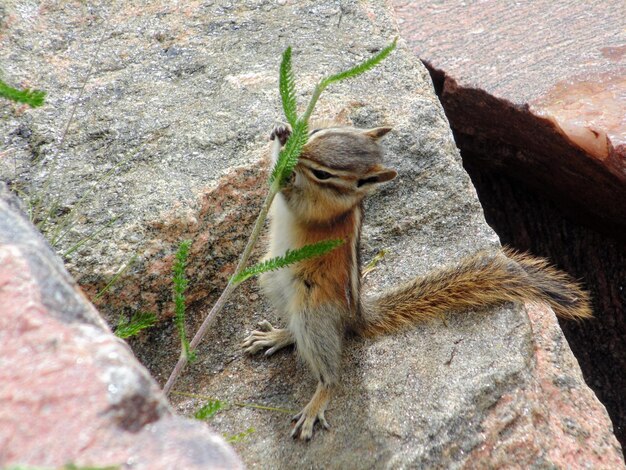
485 279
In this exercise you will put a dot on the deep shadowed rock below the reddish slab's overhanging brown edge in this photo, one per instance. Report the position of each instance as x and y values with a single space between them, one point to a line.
529 222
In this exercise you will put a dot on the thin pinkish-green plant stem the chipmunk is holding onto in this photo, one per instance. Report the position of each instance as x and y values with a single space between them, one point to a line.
230 287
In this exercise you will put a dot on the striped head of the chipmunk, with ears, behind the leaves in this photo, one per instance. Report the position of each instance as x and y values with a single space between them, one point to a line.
338 167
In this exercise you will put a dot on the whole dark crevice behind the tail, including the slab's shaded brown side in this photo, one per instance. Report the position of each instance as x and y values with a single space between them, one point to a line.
529 217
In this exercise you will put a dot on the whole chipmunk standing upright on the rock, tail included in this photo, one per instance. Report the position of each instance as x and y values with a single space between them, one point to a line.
320 298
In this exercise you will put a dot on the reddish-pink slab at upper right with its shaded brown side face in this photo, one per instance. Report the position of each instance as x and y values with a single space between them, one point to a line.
540 87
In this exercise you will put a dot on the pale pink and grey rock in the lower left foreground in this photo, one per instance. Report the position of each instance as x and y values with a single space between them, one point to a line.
70 391
